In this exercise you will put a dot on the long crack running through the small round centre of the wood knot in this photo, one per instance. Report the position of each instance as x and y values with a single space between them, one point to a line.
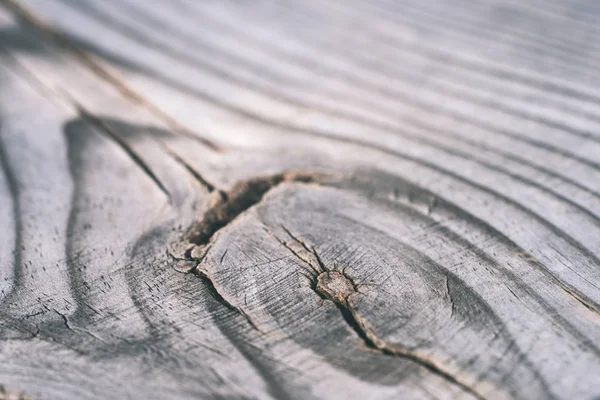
338 287
